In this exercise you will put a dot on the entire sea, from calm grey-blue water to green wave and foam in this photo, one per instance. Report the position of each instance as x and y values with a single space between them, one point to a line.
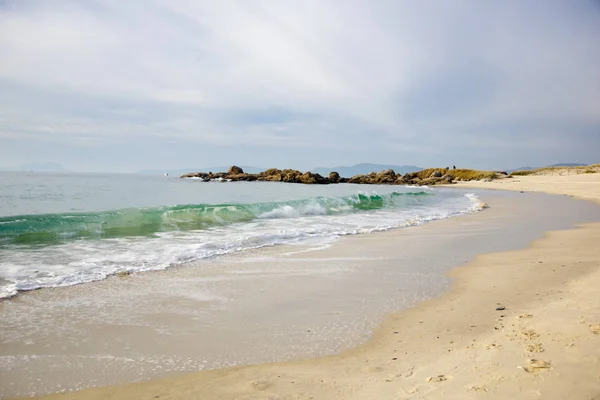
65 229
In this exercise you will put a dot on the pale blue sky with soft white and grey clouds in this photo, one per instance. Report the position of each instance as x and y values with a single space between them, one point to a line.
121 86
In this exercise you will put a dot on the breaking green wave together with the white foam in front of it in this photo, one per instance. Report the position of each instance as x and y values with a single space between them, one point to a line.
52 250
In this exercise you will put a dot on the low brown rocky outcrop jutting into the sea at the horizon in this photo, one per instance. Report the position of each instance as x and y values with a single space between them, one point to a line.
386 177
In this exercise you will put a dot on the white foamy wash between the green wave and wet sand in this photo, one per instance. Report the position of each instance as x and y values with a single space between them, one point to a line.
81 261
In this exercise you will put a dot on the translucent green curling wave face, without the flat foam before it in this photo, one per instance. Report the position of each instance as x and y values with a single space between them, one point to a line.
57 228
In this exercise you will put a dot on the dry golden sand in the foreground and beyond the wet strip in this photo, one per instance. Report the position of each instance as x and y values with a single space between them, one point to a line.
523 324
